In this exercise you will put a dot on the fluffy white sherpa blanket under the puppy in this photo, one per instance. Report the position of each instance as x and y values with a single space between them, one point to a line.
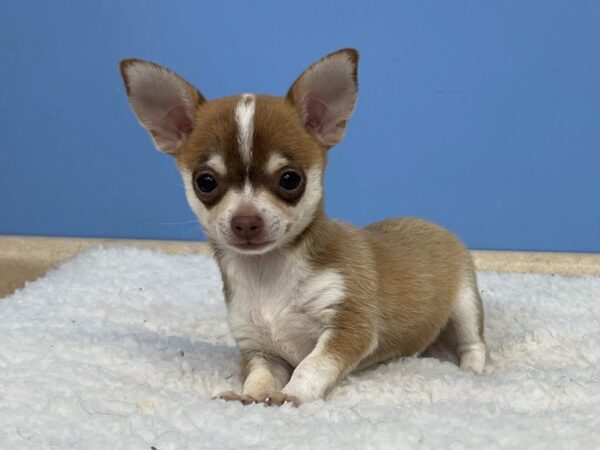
125 348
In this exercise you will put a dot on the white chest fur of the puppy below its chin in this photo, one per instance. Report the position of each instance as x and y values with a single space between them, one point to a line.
279 304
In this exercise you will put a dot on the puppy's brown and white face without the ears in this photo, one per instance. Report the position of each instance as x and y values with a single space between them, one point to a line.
252 173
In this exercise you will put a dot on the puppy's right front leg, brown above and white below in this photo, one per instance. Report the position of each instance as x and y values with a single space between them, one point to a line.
336 353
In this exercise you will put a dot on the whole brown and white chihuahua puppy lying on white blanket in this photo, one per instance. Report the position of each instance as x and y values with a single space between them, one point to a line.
309 299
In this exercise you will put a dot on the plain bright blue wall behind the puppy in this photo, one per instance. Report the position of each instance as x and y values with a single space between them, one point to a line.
482 116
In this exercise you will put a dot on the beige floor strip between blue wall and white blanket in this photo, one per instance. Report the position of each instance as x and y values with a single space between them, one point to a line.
25 258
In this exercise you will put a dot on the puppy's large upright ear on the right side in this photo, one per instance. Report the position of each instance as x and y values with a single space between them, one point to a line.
325 95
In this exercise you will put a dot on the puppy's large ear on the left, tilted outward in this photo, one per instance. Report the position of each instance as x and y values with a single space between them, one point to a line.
164 103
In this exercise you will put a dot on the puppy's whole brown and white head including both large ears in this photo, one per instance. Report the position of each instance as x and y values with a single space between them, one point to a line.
252 165
